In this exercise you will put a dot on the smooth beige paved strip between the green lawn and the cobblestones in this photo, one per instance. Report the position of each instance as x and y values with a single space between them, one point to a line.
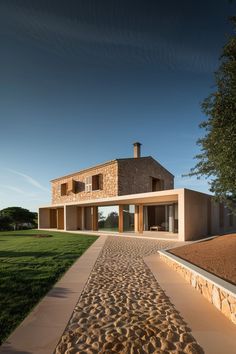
42 329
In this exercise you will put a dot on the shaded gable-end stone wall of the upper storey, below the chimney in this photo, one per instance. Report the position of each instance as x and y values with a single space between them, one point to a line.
134 175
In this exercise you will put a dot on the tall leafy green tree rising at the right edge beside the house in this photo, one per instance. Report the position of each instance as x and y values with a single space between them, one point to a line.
217 159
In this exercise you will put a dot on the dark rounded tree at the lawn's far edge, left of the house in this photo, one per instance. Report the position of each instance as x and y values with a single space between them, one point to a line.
19 216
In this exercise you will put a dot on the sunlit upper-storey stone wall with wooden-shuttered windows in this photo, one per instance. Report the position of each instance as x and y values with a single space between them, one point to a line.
109 184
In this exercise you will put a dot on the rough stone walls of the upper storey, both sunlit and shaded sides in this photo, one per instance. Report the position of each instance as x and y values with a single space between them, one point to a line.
119 177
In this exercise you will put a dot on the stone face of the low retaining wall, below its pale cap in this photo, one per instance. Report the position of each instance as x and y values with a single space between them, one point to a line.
220 297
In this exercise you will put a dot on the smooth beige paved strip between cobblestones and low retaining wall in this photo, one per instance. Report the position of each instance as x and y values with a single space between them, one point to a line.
213 331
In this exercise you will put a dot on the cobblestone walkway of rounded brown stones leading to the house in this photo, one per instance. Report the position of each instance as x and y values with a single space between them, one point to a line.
123 309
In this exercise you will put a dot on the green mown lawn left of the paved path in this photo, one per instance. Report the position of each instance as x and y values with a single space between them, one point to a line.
29 267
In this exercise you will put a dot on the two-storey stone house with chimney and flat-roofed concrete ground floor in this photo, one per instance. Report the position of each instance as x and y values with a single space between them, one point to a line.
132 195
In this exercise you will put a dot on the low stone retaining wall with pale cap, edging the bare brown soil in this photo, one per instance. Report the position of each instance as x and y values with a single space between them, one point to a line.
219 292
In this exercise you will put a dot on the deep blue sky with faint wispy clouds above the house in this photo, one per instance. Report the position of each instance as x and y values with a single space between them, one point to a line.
82 80
